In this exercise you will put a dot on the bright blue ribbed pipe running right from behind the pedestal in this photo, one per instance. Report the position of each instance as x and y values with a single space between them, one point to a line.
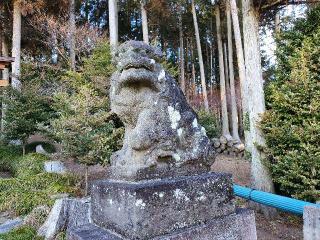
272 200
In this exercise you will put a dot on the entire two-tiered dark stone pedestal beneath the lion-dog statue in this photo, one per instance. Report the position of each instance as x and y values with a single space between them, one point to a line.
190 207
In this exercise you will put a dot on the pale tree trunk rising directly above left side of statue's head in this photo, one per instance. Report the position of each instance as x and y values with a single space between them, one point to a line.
113 22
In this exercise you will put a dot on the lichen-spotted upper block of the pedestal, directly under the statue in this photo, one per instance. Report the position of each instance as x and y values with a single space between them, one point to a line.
145 209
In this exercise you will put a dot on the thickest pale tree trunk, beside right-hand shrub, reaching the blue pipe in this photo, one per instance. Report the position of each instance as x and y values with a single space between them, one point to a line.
261 178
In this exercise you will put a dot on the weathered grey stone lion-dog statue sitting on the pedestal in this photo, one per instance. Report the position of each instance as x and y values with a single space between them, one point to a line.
162 135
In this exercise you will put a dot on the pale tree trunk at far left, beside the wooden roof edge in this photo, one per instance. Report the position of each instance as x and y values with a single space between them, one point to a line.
16 45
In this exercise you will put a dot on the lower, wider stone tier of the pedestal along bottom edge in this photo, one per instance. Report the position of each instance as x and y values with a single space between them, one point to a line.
238 226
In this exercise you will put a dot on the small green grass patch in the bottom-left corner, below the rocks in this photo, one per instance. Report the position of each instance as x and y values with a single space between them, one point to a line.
22 233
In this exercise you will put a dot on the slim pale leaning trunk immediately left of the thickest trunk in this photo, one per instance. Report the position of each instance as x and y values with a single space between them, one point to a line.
242 74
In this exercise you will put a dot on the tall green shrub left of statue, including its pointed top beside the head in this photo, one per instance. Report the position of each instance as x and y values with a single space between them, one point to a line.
85 127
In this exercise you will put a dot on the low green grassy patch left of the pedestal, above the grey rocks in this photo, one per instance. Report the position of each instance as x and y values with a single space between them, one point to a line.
31 186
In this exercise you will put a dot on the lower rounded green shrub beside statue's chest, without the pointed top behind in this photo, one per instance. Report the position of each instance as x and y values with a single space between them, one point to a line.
85 127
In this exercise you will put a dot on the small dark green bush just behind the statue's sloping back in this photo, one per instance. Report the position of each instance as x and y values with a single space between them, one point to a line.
210 123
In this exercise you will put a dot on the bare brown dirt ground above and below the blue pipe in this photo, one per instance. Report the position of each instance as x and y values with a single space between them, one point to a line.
283 226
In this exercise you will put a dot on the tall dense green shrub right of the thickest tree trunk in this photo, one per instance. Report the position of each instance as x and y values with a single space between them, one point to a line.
291 124
